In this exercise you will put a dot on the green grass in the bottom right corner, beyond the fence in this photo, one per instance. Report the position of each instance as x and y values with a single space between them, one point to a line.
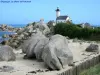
92 71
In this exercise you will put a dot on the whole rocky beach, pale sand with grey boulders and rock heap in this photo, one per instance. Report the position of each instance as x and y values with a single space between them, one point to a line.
56 51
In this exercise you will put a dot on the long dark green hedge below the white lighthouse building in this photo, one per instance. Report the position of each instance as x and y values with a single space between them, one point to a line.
76 31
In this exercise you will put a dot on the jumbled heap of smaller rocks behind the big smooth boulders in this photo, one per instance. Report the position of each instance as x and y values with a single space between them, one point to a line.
26 32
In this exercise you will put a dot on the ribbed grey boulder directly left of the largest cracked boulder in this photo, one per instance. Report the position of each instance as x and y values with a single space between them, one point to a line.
34 45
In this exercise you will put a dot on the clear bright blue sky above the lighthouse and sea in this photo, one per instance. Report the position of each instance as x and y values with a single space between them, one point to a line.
79 11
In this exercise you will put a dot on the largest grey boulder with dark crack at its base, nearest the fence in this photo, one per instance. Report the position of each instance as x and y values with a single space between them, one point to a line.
56 53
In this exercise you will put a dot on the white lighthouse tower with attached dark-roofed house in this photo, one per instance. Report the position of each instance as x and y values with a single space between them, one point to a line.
62 19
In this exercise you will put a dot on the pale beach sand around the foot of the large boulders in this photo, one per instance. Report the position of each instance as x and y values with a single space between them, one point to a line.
24 67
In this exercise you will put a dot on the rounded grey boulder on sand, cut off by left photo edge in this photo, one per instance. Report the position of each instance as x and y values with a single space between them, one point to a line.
6 53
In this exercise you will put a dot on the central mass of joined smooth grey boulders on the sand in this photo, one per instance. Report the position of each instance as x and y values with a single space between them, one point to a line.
54 51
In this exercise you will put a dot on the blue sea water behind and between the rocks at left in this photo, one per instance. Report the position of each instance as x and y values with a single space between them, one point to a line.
10 33
